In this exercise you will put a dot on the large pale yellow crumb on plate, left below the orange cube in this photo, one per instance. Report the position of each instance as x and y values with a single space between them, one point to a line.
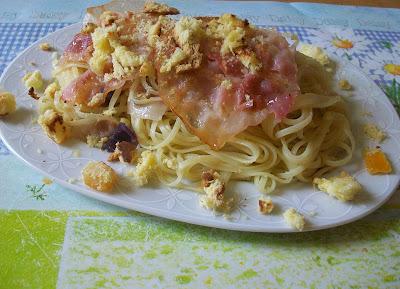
343 187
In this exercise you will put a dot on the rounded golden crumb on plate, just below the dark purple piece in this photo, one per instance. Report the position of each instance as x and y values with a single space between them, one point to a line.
99 176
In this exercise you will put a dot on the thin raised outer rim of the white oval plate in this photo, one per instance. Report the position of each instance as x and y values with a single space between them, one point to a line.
170 215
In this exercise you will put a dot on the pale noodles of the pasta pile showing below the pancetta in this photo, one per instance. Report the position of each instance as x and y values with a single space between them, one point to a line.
312 139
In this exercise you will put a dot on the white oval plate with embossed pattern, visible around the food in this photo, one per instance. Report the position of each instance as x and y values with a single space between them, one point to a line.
25 139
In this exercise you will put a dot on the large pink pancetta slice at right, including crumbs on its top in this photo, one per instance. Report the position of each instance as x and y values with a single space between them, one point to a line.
237 84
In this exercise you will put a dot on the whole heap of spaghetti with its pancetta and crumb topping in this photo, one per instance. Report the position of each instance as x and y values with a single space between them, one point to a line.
125 67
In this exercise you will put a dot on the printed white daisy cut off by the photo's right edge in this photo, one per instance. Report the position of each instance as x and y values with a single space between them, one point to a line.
385 66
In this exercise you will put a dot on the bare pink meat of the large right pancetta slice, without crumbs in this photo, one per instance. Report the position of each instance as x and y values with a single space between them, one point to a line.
215 113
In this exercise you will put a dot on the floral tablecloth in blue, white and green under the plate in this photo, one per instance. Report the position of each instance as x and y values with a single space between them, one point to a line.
51 237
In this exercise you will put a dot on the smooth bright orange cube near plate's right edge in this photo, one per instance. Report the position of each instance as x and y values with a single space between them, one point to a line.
376 162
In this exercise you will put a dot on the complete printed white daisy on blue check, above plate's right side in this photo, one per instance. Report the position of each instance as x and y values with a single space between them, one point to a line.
341 41
